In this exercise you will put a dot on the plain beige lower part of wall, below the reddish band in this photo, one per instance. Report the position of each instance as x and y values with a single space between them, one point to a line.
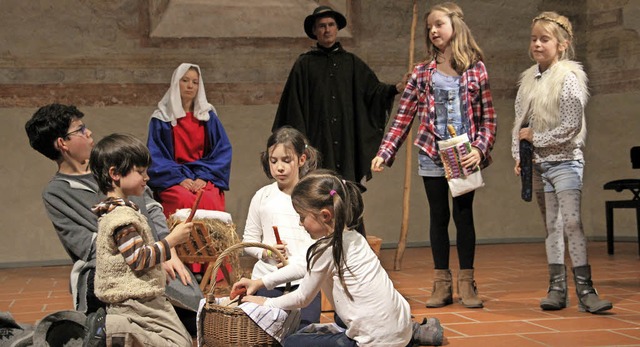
500 214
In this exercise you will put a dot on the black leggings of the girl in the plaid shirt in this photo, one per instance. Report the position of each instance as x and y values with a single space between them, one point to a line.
437 190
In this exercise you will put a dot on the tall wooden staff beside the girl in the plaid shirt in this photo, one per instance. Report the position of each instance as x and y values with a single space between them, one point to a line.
406 191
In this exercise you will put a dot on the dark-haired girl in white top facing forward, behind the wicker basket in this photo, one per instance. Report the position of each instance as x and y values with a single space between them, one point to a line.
286 159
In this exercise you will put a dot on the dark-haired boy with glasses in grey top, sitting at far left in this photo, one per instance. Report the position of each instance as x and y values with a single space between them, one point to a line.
59 133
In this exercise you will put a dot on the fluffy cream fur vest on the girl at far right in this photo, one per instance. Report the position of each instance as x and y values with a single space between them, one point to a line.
539 97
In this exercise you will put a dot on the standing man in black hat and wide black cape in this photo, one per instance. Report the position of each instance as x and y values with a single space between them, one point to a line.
336 100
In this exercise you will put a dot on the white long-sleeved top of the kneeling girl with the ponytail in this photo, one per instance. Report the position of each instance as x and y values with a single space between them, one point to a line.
378 314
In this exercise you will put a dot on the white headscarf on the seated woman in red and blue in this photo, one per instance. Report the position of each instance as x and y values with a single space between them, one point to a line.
170 107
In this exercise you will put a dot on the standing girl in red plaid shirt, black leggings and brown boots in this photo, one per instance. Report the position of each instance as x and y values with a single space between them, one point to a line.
450 88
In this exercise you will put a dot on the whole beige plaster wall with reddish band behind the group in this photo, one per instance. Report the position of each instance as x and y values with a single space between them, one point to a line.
96 55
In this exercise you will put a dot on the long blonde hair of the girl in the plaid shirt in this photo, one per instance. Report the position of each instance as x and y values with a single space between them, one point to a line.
465 51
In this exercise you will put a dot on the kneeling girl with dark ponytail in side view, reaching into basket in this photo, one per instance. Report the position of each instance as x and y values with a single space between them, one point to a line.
342 264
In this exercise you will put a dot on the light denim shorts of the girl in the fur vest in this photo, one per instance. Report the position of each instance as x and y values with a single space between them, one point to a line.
558 176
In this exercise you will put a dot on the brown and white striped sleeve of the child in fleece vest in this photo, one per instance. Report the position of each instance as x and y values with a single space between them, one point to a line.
138 255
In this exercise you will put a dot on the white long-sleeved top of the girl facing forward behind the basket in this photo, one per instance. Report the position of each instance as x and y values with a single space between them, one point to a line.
271 207
